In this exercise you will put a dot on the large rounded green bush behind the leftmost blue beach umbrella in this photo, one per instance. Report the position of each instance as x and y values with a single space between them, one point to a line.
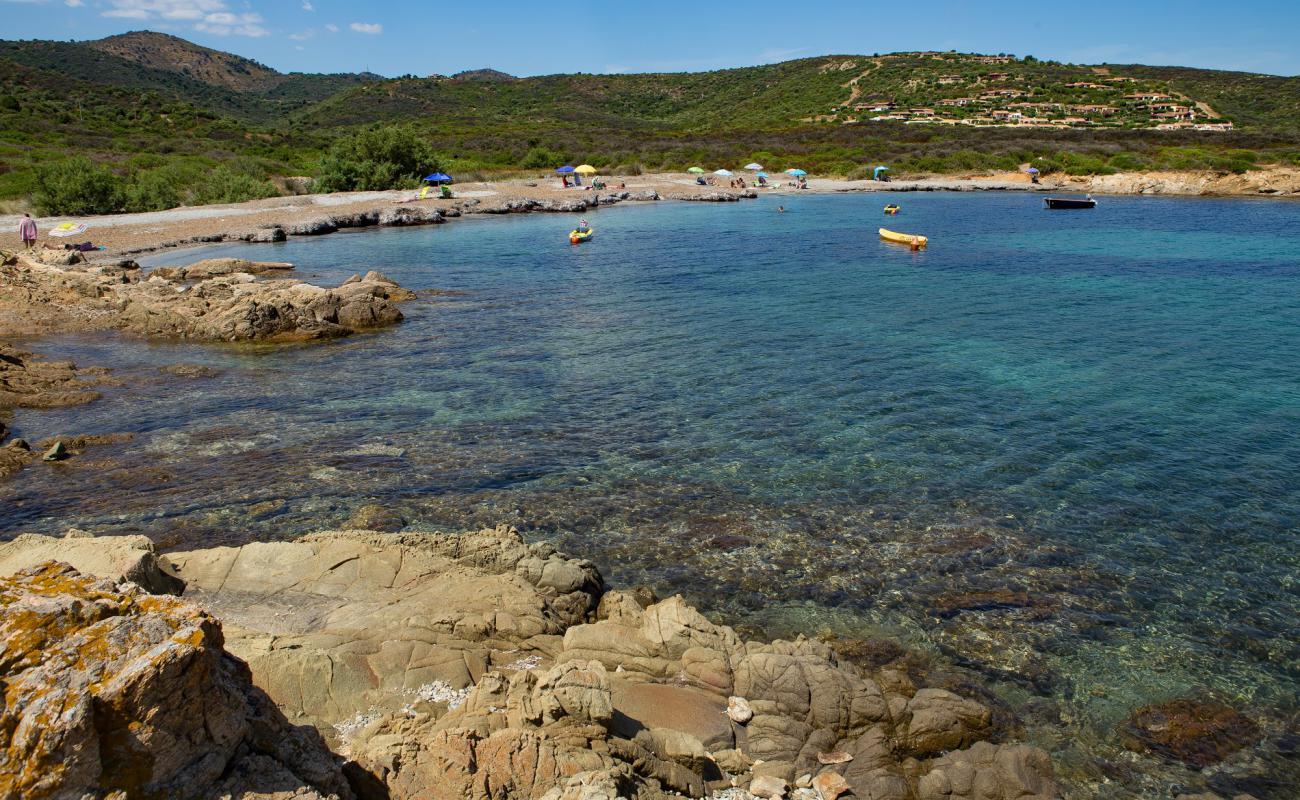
375 159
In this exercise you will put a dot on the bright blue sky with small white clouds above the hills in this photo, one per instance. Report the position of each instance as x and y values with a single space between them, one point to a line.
424 37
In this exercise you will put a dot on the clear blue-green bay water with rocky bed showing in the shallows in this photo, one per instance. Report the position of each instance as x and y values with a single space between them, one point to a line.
1061 451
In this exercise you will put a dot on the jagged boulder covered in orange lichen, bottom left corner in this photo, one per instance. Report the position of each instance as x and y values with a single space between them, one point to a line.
111 690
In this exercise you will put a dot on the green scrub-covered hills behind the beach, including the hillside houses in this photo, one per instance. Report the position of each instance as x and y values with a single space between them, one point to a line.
170 120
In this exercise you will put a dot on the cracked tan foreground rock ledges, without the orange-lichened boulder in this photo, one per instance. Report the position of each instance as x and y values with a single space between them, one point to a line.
482 667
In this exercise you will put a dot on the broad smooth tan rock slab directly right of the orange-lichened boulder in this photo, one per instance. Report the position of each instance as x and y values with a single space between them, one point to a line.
343 626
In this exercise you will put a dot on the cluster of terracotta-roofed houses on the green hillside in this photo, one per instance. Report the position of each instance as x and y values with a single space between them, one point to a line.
973 90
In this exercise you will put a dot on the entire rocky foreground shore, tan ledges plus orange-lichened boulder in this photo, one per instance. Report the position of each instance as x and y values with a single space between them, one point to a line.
365 665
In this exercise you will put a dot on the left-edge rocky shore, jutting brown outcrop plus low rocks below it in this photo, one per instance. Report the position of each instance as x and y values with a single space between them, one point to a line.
211 301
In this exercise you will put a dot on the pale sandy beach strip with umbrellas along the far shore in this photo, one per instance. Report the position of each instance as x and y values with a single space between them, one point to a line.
129 235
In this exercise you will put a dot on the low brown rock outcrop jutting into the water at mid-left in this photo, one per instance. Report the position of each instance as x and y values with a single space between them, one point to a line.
227 305
